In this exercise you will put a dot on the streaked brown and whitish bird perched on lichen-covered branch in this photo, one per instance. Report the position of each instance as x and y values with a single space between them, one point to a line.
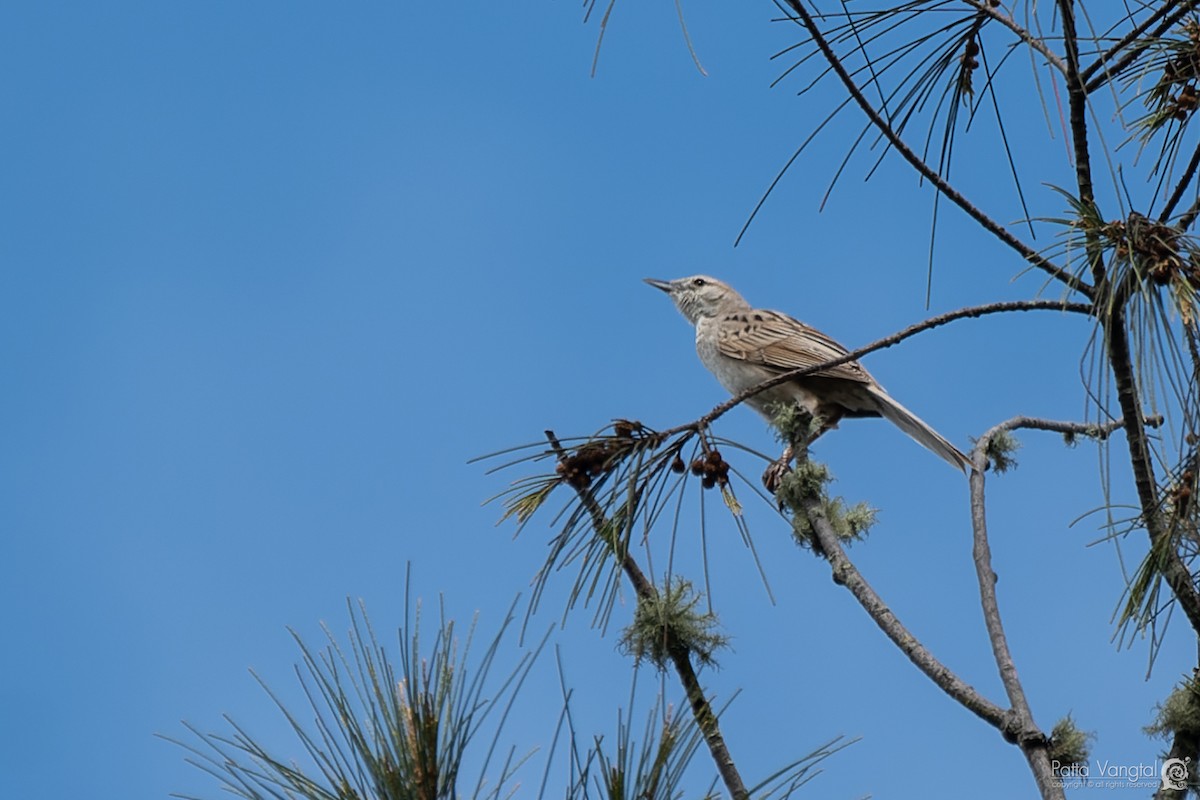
743 346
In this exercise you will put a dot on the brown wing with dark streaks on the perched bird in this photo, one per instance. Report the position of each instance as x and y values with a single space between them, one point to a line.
777 341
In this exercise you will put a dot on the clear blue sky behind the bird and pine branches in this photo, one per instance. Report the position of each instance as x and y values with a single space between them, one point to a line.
274 273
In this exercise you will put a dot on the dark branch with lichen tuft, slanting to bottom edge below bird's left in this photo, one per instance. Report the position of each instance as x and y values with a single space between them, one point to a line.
681 657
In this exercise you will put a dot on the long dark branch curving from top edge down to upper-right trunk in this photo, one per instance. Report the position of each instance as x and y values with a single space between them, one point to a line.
926 171
